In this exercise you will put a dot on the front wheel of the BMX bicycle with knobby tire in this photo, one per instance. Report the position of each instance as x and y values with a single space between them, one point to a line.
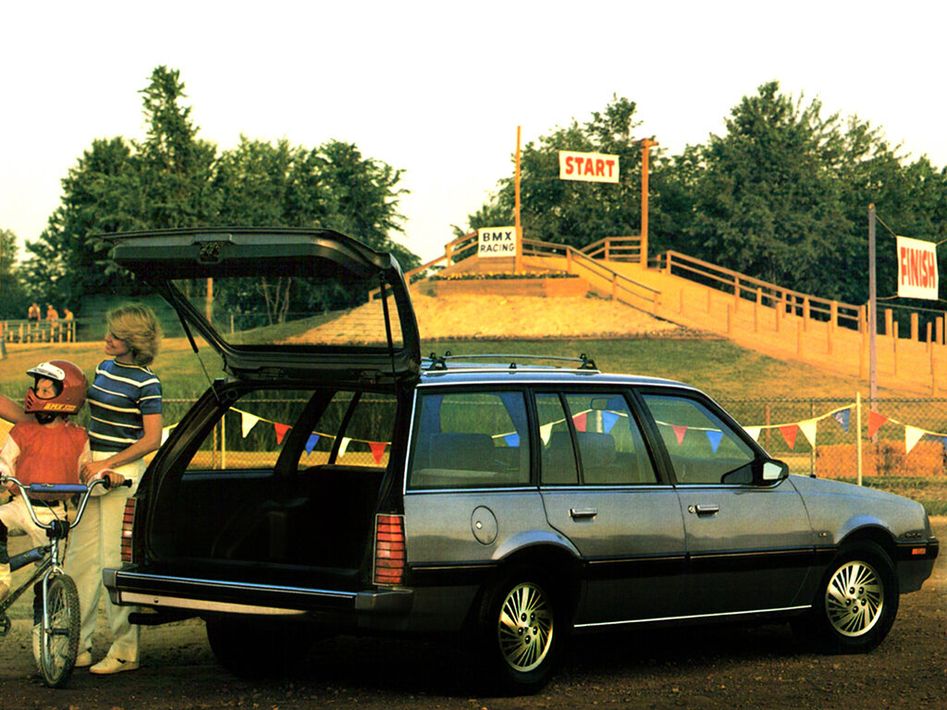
59 640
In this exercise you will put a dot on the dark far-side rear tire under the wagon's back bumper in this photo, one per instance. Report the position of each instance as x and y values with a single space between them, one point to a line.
257 648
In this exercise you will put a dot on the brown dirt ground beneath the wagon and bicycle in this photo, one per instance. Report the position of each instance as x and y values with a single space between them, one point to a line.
705 667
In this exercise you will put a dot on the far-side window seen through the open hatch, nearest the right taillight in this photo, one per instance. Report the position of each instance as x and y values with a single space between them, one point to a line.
366 440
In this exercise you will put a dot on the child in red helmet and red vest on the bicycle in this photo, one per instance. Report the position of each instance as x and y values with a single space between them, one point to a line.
48 449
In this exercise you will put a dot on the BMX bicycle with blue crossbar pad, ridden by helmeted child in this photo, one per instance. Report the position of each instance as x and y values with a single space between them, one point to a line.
59 621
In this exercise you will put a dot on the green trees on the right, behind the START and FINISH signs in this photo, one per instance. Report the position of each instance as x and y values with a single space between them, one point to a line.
782 194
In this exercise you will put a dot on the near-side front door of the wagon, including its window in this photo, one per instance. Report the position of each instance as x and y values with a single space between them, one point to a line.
749 541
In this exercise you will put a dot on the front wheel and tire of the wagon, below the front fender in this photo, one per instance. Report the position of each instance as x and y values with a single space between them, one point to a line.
857 600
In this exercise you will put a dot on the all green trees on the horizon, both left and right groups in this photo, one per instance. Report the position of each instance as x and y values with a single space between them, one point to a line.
781 194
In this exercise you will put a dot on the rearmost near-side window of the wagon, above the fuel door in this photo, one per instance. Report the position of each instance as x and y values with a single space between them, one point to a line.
470 440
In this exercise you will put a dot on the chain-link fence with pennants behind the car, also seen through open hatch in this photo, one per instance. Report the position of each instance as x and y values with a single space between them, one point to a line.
813 435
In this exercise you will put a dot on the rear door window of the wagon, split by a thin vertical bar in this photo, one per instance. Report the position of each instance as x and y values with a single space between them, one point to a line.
610 445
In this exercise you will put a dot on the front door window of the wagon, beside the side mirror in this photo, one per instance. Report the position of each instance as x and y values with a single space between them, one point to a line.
702 448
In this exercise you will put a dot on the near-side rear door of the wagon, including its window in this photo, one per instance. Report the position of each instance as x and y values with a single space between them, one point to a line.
601 490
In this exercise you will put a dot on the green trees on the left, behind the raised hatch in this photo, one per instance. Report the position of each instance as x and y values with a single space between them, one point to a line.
173 178
